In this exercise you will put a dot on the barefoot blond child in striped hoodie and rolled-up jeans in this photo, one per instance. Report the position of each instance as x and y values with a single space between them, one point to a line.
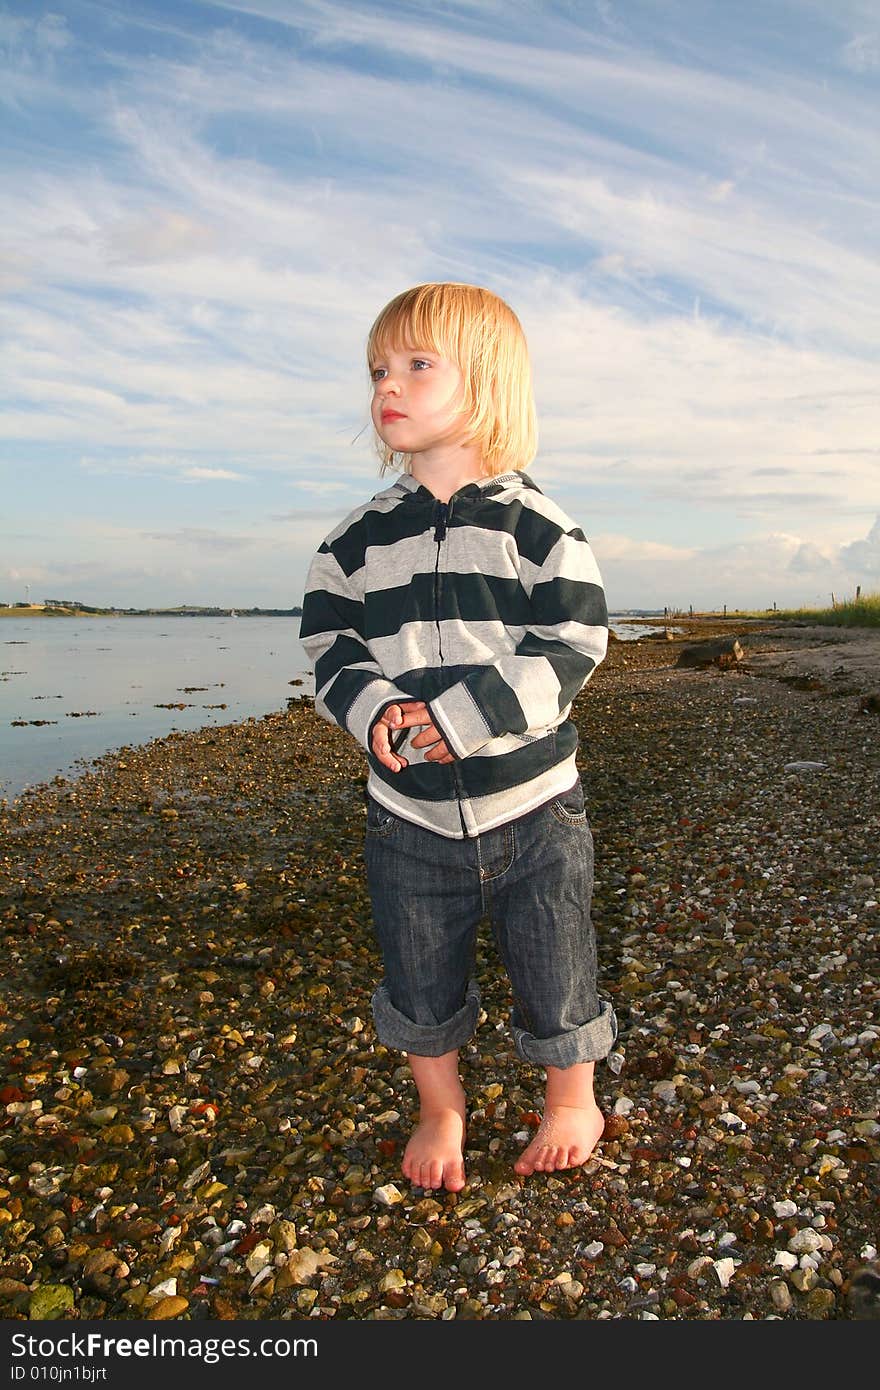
453 621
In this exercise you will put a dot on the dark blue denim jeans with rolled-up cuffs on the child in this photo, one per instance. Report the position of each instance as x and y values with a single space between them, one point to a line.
533 879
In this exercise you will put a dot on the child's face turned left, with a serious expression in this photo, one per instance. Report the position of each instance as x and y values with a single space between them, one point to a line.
418 401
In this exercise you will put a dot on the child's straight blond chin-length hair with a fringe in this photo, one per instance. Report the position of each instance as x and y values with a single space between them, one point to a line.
479 332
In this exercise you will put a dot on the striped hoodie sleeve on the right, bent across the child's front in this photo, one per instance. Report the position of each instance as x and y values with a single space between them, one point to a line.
567 639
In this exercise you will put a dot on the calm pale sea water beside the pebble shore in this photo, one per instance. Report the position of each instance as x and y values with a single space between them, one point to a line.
76 689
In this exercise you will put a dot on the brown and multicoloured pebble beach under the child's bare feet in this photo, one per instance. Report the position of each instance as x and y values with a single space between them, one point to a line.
197 1121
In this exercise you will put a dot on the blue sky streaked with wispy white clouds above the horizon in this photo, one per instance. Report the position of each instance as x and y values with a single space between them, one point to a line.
204 208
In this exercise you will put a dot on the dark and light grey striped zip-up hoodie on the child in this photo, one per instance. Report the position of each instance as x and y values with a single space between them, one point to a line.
491 610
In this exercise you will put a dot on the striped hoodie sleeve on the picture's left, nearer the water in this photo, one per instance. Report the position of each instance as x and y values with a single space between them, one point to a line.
350 686
